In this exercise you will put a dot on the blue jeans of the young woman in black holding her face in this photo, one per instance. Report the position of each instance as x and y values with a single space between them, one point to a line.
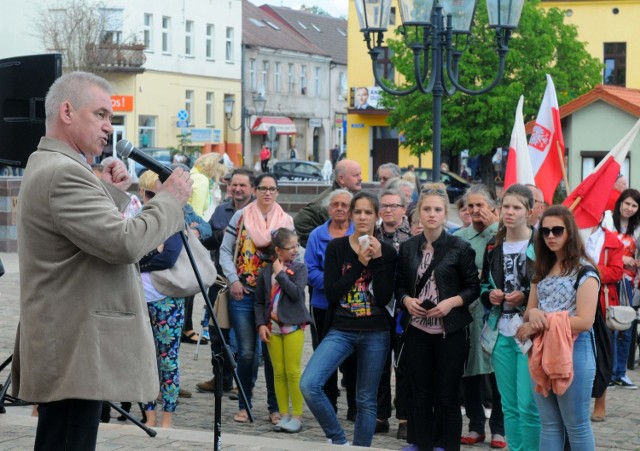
371 349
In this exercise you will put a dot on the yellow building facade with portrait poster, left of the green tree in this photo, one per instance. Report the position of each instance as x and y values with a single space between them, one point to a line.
370 141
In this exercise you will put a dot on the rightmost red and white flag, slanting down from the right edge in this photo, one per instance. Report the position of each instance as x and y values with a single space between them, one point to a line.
589 199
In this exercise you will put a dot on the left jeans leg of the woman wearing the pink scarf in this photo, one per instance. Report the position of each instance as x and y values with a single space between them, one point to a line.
244 325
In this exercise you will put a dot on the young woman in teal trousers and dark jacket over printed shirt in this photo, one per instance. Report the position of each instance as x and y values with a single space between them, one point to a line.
506 274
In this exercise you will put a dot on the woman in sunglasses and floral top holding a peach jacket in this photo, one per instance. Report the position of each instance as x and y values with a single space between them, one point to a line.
561 299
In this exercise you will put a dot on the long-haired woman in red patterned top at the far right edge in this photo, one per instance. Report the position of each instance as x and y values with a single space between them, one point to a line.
626 222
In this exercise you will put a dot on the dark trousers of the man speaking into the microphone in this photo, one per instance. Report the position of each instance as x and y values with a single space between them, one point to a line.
69 425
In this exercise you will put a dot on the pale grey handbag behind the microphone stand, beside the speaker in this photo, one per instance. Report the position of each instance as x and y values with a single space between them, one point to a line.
180 281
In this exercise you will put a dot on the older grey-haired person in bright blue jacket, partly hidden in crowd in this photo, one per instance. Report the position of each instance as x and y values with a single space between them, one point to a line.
337 226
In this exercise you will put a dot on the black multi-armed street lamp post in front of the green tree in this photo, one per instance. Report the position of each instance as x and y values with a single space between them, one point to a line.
432 30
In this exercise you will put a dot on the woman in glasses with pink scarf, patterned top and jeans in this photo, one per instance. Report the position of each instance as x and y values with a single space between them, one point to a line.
249 231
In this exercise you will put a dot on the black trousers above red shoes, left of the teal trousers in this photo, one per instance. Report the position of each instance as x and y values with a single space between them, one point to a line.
475 390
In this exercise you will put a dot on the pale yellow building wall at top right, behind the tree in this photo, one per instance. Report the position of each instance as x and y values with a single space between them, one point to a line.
598 24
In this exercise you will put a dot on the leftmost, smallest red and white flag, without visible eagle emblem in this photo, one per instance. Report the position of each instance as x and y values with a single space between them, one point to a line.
518 161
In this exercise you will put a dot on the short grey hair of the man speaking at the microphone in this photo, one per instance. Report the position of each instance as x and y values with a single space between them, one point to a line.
71 87
